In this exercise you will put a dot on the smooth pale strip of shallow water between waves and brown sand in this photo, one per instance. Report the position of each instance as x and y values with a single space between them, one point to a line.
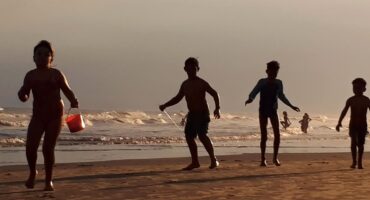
108 152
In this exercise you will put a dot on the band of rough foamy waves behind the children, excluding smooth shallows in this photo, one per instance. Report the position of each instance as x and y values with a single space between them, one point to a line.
138 127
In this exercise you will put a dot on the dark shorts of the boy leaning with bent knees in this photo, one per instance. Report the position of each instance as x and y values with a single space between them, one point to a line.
197 124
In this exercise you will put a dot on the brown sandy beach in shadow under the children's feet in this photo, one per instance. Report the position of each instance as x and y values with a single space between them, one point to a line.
301 176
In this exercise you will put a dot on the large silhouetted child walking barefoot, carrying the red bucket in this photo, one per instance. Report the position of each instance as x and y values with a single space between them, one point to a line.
45 82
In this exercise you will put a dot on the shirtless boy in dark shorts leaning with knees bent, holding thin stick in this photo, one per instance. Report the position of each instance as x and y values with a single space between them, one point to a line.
194 90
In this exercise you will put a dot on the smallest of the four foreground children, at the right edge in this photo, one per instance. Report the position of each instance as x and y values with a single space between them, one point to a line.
359 105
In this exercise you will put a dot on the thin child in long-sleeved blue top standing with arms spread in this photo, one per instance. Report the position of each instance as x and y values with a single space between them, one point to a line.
270 89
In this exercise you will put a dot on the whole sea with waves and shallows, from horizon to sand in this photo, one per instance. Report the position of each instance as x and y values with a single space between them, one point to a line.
112 135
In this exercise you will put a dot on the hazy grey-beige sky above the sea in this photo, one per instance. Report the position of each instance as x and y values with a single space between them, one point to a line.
129 55
